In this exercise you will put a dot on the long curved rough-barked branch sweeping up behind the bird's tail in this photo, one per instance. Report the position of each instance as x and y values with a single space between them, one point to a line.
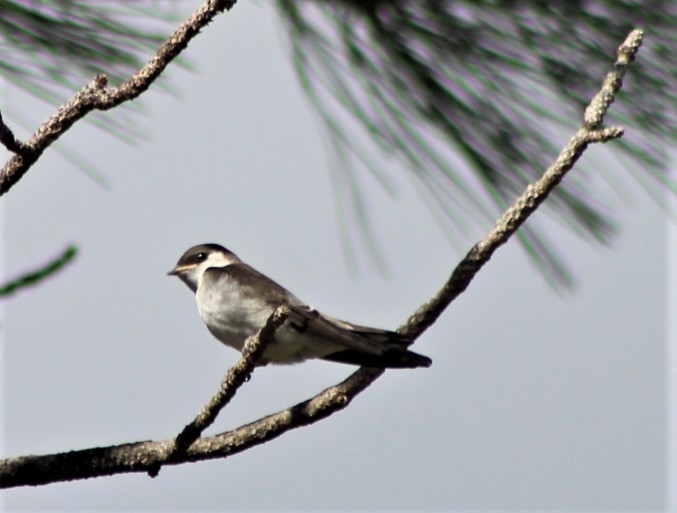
149 456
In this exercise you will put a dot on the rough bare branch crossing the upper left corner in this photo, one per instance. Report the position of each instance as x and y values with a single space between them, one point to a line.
95 95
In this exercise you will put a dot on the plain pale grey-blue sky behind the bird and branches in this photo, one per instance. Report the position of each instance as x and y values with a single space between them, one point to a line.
535 401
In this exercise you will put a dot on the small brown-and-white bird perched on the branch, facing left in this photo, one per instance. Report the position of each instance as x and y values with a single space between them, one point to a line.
235 301
